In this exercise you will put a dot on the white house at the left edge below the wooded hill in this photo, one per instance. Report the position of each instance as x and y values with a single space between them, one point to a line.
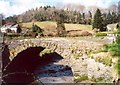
9 26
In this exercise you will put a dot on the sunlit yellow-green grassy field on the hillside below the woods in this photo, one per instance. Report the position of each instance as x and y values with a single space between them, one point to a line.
51 24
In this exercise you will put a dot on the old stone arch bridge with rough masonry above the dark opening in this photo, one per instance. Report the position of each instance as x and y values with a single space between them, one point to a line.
64 47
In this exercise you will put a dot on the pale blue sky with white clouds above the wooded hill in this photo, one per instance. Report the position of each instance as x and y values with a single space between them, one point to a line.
15 7
